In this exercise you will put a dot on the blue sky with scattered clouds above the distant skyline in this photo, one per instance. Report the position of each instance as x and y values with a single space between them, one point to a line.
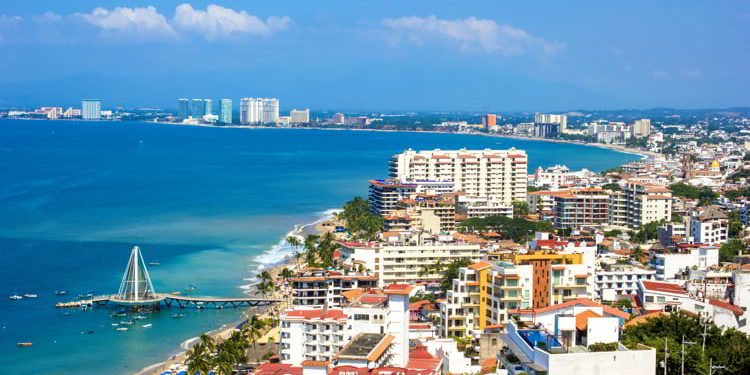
497 55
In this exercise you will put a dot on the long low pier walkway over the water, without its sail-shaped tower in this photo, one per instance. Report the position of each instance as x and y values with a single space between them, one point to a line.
170 299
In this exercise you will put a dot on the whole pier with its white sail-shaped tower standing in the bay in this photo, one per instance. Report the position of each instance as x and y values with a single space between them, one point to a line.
137 292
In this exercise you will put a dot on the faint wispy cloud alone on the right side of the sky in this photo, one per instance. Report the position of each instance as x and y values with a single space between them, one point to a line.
470 33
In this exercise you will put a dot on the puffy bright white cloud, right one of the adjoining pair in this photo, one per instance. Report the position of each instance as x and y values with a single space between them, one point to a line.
217 21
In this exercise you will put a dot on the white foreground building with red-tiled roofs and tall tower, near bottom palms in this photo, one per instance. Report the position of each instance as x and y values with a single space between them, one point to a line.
377 324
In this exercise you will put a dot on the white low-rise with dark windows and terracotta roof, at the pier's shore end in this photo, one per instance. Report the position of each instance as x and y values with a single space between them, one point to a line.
317 287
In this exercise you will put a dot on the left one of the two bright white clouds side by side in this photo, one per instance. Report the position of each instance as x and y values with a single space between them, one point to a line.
144 21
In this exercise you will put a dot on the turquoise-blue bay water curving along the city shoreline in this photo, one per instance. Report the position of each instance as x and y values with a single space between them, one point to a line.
209 204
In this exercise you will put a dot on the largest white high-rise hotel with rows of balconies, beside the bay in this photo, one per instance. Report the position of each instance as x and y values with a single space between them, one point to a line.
480 173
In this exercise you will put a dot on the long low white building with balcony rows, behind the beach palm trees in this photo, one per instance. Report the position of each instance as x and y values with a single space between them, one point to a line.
401 262
